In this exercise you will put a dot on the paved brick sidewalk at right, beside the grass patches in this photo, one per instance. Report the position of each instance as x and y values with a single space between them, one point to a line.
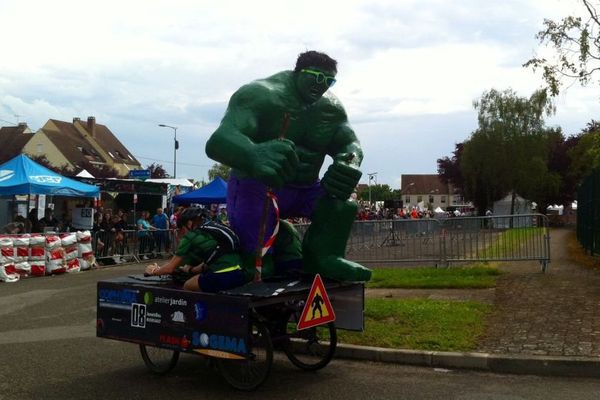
551 314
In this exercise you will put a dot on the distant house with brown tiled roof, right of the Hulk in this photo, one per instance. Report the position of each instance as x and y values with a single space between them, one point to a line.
428 189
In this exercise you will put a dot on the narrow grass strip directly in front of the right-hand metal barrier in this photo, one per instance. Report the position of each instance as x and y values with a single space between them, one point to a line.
475 276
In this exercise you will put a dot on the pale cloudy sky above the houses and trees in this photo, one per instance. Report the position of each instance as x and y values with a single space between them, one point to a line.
408 70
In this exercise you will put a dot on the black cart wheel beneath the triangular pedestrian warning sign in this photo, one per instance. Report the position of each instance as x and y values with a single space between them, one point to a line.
310 349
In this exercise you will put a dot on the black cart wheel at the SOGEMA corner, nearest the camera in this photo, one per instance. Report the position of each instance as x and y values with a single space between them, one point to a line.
250 373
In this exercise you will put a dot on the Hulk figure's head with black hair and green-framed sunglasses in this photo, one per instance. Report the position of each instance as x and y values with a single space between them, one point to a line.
314 74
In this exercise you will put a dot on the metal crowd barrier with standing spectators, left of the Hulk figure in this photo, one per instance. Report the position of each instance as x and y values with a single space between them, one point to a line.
114 247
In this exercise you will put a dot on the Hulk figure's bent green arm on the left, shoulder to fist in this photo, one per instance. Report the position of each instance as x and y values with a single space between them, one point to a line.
238 143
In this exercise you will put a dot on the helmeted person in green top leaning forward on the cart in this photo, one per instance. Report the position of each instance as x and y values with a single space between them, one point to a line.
207 256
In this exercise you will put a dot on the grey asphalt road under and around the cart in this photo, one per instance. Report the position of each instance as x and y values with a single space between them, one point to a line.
48 350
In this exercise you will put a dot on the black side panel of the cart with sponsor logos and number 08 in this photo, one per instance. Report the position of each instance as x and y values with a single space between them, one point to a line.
159 314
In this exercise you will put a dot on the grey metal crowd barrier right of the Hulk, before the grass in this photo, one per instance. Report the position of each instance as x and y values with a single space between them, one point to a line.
449 240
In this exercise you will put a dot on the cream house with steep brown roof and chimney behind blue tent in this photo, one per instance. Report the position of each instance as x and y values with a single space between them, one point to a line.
72 143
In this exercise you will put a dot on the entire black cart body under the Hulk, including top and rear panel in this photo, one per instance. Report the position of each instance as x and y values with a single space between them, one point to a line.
156 312
